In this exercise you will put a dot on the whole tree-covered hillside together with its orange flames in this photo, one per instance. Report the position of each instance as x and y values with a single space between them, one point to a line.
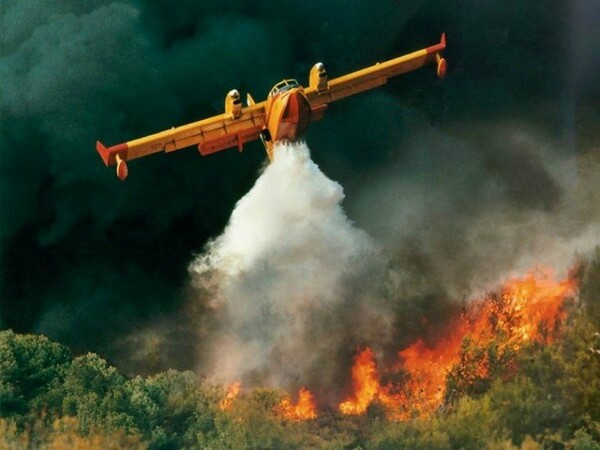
519 366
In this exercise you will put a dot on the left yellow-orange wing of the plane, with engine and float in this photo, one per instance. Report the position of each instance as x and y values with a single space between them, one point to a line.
210 135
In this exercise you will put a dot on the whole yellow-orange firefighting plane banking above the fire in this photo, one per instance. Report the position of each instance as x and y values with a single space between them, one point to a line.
285 114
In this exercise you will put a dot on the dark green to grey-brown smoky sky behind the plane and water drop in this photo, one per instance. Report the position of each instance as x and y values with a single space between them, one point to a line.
452 178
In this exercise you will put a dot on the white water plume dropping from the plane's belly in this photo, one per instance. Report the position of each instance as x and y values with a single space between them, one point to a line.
287 279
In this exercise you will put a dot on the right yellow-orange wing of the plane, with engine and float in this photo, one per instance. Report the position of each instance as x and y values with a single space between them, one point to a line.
322 92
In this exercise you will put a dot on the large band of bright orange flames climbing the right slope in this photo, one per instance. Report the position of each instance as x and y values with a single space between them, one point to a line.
484 339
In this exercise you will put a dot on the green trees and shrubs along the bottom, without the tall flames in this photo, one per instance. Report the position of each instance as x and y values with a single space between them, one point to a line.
539 396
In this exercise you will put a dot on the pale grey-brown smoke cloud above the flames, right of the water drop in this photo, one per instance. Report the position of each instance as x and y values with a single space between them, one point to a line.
479 210
